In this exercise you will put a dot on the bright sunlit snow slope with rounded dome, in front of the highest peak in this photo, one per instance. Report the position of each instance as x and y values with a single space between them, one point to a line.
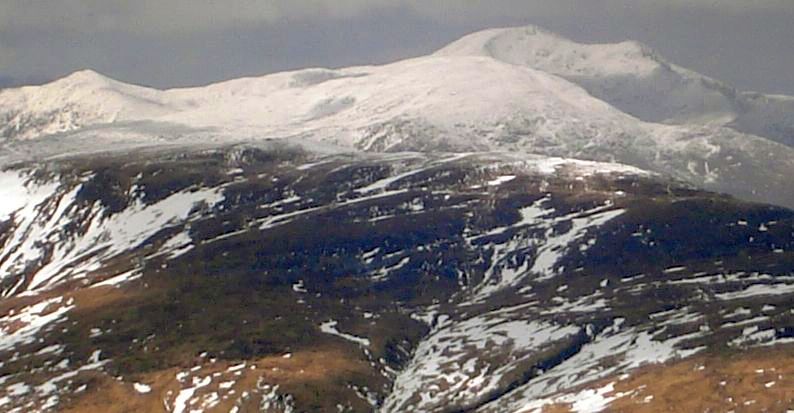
458 97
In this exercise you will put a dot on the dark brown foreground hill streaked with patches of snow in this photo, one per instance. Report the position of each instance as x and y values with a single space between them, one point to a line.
273 279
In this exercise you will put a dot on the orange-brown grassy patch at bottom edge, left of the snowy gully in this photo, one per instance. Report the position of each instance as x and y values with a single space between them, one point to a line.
303 376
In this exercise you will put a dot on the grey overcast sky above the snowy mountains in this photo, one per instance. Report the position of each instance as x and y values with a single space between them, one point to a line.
168 43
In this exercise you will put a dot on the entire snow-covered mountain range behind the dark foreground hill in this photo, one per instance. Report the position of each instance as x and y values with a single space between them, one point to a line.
511 90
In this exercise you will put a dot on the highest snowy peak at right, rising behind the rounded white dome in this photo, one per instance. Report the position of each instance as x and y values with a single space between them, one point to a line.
636 80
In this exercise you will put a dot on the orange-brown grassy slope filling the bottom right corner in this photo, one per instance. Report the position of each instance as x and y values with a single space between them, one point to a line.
760 380
